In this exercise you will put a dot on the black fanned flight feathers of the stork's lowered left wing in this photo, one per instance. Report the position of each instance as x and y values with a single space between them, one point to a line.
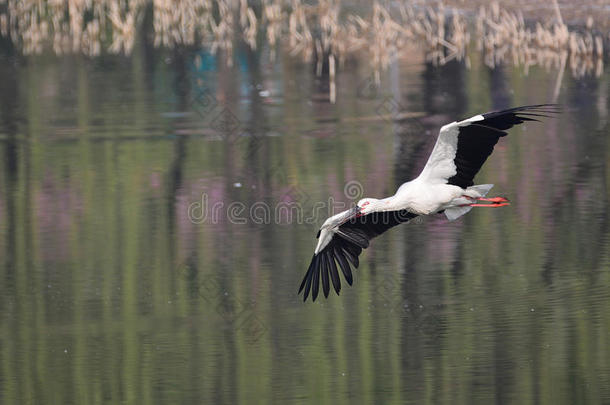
344 248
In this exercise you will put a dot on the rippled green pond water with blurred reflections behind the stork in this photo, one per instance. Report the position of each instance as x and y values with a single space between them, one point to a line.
111 293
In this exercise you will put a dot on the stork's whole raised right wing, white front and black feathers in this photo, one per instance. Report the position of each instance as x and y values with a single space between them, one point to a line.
463 146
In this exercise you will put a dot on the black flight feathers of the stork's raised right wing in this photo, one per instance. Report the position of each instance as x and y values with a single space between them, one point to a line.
477 140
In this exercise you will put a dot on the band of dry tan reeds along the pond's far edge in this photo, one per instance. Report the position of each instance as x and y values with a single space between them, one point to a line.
313 31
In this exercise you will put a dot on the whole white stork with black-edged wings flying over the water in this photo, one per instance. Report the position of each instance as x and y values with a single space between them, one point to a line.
445 185
